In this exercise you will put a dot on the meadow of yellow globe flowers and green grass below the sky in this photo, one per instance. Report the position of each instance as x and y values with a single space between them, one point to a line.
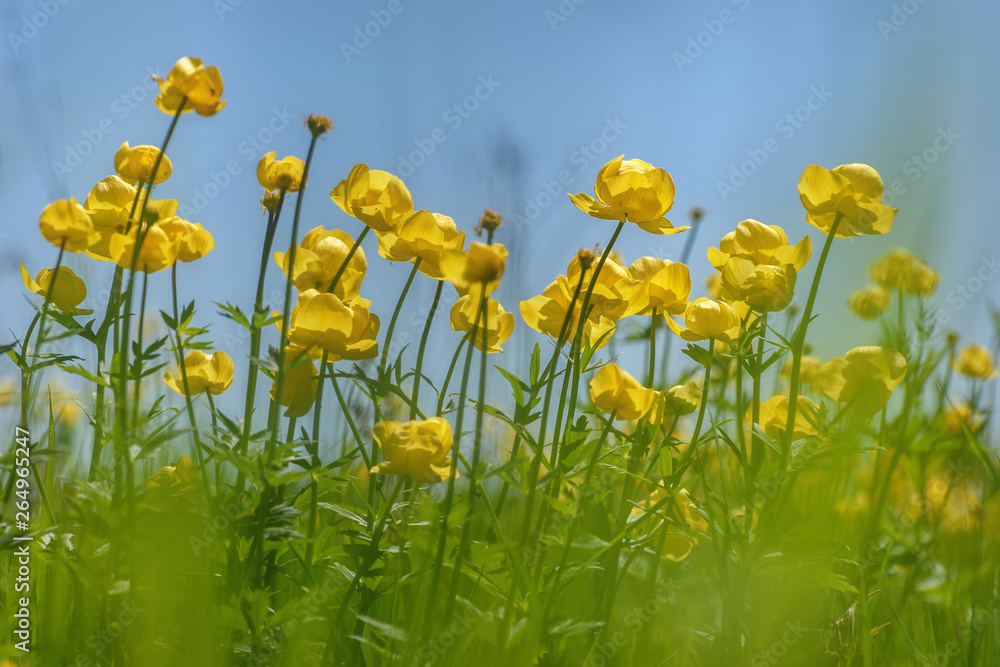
751 505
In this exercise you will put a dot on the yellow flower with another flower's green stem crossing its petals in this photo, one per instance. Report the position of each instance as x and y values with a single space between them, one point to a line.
318 260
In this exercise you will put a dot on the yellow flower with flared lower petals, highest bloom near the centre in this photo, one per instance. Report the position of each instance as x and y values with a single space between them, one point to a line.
631 190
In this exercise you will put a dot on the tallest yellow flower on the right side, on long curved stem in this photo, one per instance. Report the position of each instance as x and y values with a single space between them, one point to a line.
852 190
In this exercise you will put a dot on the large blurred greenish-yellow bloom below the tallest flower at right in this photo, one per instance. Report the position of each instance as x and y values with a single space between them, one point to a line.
863 378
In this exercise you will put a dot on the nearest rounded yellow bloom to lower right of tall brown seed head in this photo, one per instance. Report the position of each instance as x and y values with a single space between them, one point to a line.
376 198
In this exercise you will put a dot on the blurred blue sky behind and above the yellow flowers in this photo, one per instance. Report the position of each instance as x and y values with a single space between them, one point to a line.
509 105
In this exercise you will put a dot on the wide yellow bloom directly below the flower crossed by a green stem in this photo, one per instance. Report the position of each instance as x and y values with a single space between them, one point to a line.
345 331
